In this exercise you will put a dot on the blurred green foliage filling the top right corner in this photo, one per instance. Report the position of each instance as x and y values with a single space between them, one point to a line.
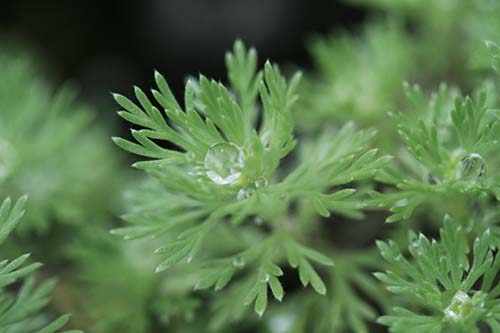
449 33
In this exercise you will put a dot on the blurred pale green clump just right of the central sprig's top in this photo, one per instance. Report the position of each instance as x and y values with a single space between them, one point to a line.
357 76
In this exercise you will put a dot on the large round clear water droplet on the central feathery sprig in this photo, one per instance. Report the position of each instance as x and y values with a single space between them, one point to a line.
224 162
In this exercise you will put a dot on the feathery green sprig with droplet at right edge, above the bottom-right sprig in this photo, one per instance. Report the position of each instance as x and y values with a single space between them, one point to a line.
450 154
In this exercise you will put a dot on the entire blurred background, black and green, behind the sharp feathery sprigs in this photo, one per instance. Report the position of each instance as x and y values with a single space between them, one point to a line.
59 61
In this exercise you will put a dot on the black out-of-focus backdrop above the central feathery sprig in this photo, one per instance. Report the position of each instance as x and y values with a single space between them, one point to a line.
106 46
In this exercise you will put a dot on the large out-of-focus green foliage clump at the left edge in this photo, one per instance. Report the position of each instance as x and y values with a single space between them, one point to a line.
51 148
